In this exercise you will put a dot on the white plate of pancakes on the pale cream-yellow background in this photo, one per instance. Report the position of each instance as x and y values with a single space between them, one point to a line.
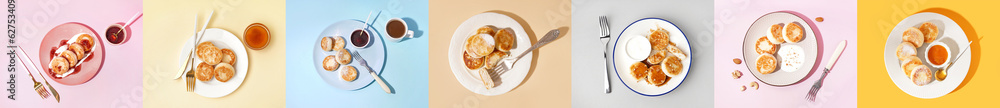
224 40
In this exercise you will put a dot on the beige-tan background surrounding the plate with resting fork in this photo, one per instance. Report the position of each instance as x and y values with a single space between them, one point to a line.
547 86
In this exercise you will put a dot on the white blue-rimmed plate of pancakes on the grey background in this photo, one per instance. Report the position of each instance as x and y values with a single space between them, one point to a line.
622 61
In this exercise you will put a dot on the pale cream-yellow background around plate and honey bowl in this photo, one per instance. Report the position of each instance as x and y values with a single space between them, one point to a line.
170 22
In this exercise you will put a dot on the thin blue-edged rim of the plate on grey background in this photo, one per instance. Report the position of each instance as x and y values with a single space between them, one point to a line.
614 64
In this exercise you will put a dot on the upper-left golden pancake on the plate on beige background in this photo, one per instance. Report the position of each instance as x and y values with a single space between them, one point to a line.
479 45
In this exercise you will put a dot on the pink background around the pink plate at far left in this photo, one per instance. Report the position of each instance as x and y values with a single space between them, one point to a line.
119 84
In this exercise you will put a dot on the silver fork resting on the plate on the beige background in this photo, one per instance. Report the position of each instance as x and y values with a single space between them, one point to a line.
508 63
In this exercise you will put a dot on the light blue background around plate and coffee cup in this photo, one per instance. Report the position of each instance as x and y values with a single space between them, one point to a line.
405 68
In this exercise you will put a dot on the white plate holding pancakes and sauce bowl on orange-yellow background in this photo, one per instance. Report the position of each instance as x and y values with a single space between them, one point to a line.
950 34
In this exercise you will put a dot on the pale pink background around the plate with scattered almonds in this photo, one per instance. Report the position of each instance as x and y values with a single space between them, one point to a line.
734 17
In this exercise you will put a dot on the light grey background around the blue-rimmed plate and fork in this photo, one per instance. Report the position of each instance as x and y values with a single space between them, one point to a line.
693 17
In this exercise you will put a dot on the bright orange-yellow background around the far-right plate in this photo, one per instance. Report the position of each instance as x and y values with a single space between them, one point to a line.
876 18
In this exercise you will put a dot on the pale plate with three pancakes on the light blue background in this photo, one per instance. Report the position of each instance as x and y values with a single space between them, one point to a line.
374 54
